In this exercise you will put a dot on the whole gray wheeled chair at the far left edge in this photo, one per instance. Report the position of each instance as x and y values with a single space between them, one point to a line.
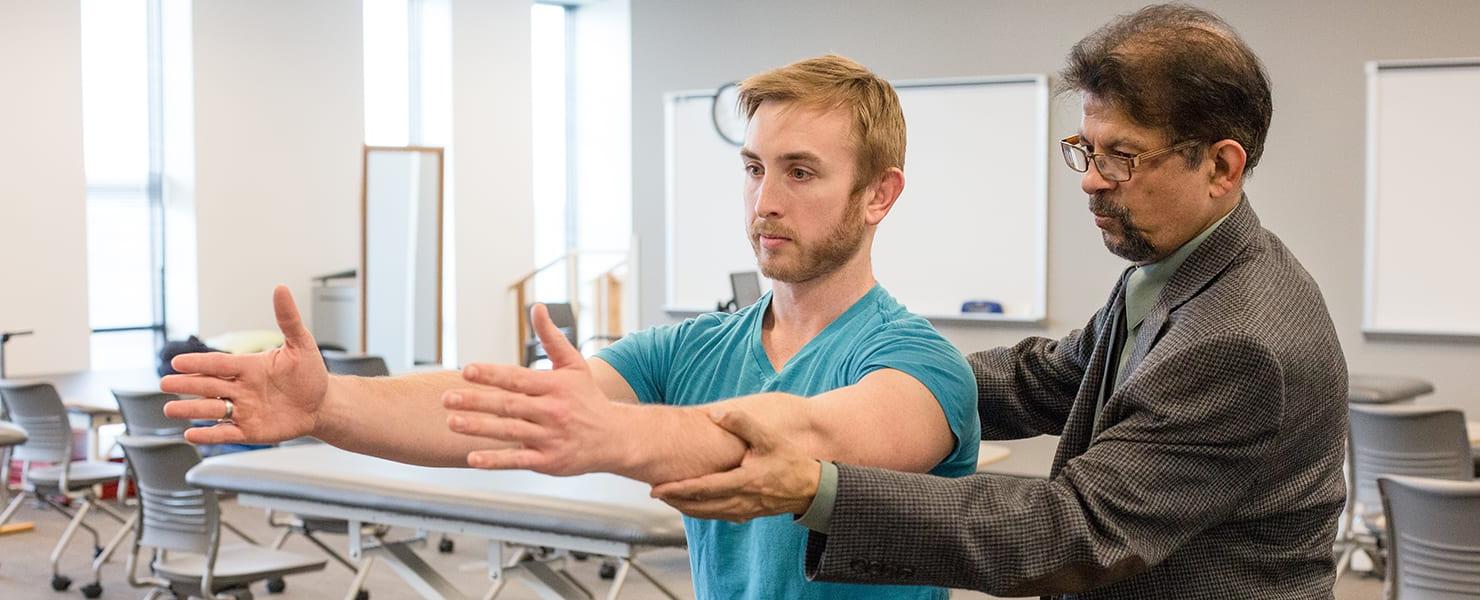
39 411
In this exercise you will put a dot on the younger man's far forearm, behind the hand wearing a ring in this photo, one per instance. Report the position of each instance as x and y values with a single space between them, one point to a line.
397 419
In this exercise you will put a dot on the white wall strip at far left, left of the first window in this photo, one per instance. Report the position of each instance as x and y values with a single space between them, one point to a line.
42 189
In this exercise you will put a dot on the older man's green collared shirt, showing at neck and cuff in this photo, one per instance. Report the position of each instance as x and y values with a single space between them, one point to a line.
1142 290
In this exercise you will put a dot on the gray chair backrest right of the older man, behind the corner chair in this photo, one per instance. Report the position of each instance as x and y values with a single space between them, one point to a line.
1407 441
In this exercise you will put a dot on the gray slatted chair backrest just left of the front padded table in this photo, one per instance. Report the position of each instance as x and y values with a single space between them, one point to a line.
177 516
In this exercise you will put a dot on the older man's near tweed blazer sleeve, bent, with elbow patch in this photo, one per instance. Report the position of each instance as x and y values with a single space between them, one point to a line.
1177 461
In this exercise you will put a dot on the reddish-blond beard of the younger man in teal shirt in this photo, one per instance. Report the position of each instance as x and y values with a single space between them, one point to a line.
830 256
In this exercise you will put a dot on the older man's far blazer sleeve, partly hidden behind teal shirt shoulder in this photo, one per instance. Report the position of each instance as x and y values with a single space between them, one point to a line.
1028 389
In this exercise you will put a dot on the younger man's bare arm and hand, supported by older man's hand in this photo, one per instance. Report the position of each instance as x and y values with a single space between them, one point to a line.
563 424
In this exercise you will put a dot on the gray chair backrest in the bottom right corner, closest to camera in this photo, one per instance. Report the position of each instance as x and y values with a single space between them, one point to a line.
1435 527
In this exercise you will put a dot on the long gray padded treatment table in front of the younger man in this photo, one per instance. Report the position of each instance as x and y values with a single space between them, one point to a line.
597 515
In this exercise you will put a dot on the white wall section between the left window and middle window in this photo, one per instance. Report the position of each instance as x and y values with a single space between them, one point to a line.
279 134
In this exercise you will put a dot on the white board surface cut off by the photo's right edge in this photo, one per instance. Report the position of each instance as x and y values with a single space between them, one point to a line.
1423 276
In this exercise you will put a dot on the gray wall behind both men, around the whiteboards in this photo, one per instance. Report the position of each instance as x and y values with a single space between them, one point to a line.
1309 189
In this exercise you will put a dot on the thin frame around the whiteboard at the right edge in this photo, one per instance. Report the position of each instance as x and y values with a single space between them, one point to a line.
1370 328
